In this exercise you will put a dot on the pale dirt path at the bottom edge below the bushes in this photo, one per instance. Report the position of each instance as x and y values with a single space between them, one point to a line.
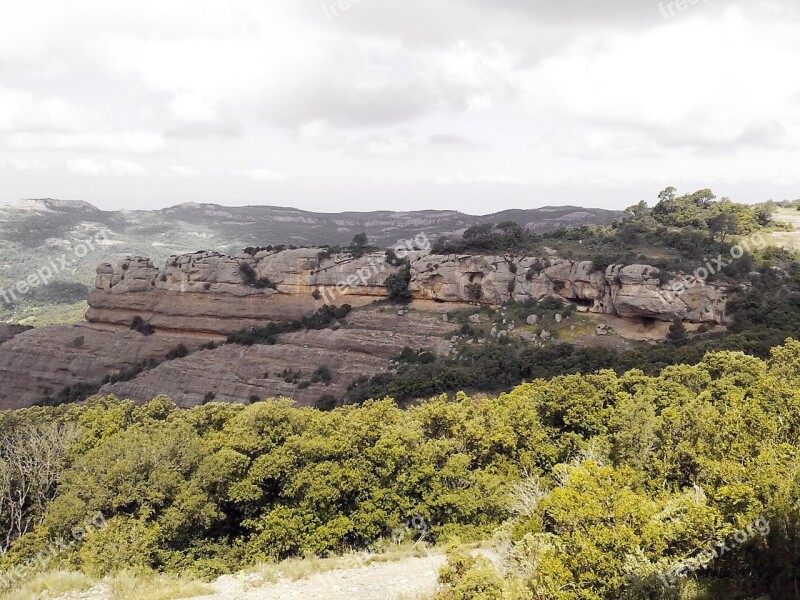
408 578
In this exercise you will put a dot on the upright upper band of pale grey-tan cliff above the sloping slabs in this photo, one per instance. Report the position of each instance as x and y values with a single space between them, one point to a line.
216 294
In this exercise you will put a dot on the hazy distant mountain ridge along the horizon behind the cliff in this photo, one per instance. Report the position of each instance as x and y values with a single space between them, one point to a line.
35 231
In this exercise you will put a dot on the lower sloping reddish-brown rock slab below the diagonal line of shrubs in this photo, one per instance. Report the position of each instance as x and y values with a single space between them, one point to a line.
235 373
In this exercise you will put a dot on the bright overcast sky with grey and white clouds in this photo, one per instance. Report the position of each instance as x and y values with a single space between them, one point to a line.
332 105
